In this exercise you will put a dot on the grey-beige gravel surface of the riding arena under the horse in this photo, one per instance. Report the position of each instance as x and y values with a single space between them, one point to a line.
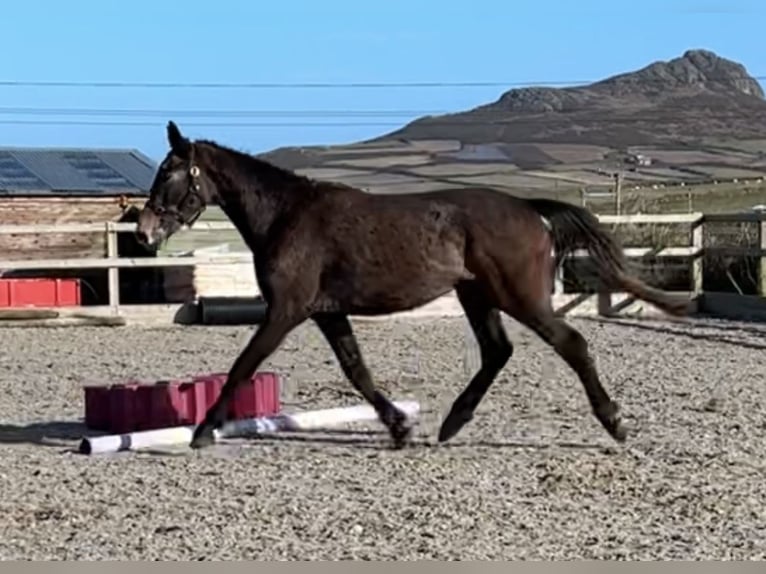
533 476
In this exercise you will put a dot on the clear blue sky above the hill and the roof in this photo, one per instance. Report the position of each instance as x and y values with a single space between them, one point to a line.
330 41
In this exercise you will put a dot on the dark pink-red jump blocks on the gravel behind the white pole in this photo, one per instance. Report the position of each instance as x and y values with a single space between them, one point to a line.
134 406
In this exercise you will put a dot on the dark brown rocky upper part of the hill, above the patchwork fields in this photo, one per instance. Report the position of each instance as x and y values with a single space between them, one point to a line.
694 96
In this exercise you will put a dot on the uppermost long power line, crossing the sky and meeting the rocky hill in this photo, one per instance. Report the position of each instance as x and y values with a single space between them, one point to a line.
328 85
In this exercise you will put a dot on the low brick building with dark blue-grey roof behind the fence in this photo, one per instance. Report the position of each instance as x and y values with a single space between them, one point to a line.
69 185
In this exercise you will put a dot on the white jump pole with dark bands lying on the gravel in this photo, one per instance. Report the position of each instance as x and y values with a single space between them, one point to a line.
300 421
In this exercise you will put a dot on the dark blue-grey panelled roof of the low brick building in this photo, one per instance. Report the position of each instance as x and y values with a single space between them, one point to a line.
75 171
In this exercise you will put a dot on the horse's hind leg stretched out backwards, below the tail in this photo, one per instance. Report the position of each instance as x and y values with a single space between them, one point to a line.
573 348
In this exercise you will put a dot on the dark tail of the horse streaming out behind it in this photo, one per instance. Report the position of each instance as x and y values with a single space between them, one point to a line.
574 227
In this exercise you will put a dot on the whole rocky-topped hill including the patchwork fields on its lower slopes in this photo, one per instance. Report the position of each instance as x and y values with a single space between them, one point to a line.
695 118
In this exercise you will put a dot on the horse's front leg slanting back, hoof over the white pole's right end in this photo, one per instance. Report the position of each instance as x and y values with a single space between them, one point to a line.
337 330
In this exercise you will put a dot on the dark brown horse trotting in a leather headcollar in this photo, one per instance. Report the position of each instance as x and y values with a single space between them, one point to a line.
324 251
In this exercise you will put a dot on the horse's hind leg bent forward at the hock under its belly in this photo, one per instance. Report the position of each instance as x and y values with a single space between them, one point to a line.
495 348
